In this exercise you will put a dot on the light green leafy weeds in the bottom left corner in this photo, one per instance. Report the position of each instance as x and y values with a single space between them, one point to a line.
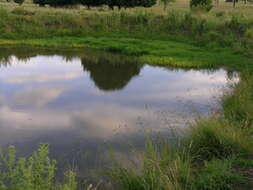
36 172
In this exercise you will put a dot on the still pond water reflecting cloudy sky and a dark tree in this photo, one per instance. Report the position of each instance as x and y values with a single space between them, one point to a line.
81 103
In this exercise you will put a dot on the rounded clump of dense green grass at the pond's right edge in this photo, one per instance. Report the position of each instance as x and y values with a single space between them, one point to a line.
215 138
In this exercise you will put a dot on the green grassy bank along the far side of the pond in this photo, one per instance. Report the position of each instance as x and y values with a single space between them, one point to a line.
213 39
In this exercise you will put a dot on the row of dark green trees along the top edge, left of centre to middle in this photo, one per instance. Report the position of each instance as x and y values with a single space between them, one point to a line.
95 3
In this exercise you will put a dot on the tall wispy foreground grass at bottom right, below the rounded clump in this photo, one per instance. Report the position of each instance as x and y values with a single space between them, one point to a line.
169 168
